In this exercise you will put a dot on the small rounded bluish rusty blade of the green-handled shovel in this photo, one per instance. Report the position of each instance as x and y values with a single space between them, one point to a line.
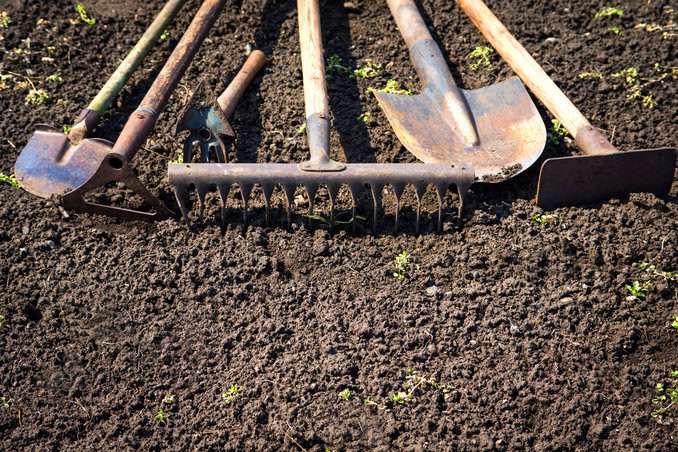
50 165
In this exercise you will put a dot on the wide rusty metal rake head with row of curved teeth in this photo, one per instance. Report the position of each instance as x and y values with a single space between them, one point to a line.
205 177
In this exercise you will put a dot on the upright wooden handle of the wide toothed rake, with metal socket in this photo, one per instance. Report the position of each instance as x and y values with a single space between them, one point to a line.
315 87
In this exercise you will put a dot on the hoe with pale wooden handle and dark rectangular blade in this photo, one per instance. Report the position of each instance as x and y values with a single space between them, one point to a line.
602 172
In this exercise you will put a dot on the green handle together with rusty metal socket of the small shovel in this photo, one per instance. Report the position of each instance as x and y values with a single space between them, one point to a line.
102 101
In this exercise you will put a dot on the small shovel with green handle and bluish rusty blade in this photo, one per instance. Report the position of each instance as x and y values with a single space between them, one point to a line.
53 163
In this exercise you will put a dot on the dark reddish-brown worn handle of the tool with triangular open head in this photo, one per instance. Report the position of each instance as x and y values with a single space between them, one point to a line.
141 122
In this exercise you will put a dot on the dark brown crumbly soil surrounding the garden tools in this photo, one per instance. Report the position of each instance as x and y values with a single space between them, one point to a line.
527 329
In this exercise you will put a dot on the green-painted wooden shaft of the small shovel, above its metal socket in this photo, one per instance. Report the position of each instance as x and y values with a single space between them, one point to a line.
134 58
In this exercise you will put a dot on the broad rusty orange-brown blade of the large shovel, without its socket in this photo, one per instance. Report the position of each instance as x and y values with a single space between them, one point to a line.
511 132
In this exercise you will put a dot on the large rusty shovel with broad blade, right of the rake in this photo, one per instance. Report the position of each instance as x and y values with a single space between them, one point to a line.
496 129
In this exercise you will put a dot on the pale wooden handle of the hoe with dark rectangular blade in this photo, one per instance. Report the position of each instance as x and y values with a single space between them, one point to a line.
589 139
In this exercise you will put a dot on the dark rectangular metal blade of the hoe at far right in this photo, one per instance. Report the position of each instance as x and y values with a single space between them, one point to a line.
587 179
